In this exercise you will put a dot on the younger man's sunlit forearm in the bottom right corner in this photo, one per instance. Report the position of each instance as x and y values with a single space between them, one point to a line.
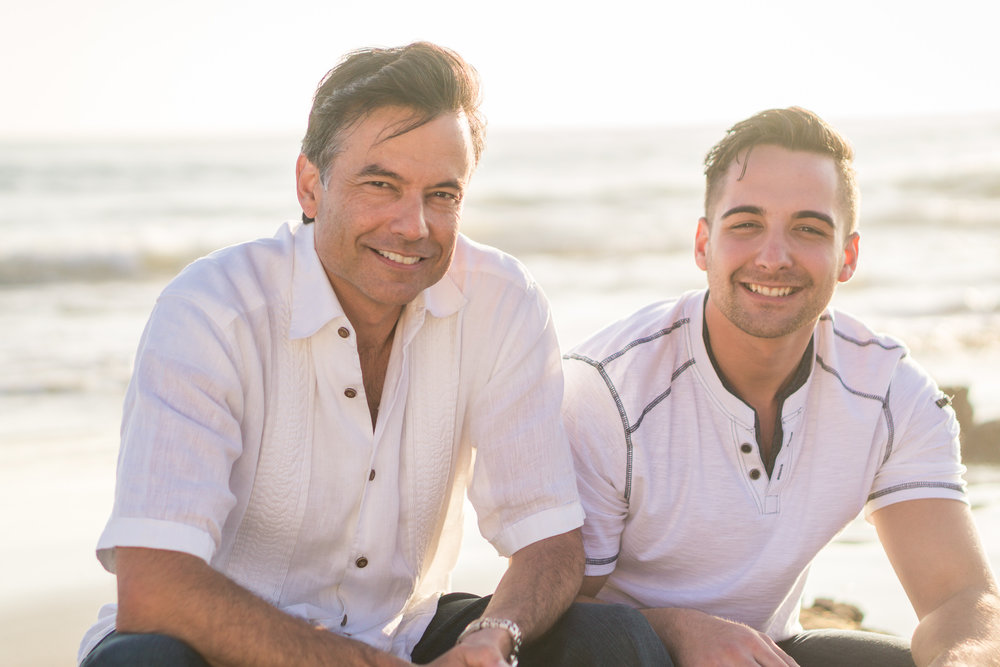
963 631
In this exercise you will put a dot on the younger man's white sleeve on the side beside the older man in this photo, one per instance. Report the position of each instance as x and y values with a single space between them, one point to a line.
596 435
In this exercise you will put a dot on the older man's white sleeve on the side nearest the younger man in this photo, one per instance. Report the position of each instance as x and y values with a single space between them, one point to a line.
522 485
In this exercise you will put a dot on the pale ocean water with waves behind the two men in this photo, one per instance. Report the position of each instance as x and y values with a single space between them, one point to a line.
90 231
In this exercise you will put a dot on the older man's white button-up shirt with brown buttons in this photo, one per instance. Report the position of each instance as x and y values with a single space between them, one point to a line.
247 439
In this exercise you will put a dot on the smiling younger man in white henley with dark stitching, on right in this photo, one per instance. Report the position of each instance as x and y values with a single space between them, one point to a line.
723 438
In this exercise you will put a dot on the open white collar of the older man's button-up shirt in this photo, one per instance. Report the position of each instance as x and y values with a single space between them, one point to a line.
314 303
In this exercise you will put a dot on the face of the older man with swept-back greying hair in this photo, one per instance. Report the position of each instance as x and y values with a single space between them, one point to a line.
387 220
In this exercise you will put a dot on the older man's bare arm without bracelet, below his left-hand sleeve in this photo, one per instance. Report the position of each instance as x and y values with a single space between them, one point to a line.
179 595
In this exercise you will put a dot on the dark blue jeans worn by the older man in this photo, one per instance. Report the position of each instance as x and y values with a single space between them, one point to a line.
586 635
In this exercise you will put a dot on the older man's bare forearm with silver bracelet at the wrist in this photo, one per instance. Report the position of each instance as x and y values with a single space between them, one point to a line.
536 589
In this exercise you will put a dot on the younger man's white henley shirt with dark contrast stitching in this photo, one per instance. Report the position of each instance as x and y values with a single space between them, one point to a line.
680 510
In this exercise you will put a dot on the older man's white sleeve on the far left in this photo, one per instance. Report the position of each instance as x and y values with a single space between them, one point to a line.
180 437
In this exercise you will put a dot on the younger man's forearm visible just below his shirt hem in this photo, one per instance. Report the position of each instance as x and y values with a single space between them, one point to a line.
696 639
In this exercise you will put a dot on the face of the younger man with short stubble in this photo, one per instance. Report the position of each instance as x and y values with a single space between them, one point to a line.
776 245
